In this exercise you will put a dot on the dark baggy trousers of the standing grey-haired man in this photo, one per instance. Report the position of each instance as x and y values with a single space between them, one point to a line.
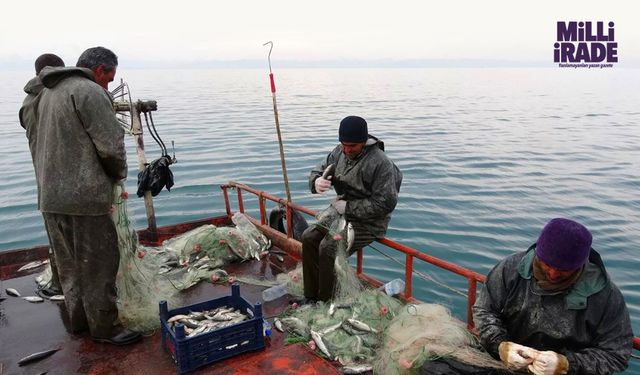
87 259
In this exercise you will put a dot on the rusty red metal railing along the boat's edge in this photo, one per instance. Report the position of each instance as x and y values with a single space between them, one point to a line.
473 278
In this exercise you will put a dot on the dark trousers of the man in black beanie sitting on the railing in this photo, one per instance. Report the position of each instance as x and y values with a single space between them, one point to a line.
318 258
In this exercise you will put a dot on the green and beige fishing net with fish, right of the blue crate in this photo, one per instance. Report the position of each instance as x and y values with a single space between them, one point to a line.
364 328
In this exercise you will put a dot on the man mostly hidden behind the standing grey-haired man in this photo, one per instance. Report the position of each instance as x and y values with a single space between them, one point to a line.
29 121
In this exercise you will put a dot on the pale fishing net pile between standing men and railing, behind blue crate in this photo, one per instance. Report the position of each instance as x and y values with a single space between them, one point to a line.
147 275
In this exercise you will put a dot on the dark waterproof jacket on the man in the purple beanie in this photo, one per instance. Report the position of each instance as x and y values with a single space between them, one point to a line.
589 323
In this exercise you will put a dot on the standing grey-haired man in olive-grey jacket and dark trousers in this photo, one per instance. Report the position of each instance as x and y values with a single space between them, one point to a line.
78 155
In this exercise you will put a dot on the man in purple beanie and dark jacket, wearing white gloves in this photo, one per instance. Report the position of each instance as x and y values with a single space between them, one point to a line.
553 309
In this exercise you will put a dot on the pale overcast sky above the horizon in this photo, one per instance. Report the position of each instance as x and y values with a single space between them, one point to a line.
192 31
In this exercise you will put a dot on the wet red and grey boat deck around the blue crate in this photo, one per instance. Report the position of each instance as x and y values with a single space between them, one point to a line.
27 327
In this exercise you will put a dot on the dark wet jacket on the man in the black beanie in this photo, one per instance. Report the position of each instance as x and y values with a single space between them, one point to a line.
370 184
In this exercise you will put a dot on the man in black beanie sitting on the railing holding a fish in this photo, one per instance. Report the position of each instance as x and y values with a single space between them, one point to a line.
367 183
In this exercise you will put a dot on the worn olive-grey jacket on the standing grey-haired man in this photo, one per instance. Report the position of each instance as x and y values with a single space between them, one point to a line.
77 144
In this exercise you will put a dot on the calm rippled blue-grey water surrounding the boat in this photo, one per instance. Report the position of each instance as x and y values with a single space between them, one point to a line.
488 156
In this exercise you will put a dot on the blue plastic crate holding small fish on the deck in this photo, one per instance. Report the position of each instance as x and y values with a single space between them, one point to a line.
191 353
